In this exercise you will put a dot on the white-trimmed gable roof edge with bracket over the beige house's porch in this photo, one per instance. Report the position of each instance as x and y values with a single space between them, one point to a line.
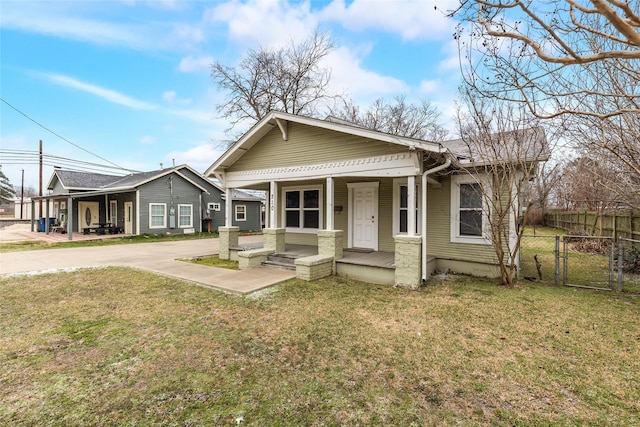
280 119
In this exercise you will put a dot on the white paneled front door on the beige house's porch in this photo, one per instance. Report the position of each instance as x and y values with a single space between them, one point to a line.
364 208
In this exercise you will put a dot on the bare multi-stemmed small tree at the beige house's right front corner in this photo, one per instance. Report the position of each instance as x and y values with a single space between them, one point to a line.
504 147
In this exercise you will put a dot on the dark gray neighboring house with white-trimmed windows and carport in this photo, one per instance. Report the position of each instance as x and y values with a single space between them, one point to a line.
170 200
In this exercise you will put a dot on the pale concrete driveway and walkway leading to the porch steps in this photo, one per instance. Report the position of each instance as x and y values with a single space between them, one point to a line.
156 257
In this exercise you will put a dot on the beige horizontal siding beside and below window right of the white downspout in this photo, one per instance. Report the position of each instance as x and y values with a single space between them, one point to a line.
439 232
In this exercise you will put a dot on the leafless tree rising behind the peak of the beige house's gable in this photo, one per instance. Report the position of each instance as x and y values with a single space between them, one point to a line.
289 79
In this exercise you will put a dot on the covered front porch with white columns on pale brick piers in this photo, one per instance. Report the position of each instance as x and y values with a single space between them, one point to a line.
356 227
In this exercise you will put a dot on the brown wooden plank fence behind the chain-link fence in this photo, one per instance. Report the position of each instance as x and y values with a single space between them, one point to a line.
609 224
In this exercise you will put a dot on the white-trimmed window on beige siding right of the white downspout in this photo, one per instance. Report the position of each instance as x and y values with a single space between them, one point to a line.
469 209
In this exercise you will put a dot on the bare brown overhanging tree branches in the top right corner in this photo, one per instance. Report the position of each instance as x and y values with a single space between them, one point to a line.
556 57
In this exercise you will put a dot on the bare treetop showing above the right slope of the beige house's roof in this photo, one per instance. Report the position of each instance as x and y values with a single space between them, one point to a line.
399 117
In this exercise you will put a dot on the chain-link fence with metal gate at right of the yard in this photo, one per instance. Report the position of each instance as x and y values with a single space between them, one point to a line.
582 261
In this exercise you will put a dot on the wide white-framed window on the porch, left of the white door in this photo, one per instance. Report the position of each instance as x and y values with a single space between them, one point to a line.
302 209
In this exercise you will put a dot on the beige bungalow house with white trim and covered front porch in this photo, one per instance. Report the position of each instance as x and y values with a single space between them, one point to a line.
365 204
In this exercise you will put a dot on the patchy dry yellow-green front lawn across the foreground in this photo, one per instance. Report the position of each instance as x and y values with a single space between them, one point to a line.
120 346
